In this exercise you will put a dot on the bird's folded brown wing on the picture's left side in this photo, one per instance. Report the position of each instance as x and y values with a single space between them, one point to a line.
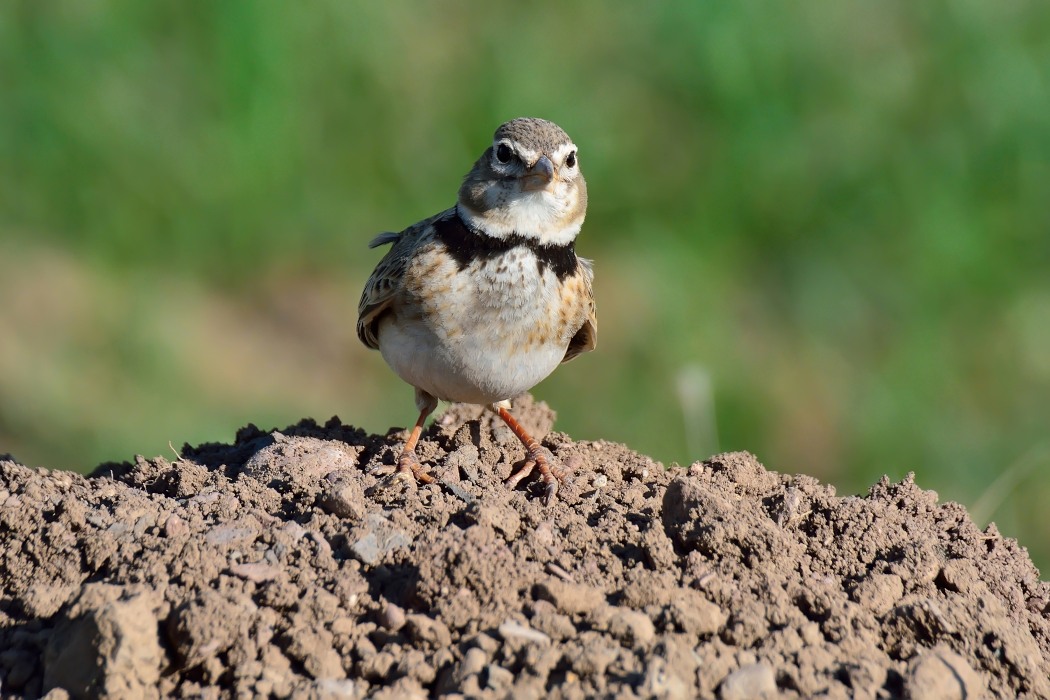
388 278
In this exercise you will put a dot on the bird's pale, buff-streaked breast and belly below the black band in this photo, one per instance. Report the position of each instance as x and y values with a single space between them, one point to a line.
485 331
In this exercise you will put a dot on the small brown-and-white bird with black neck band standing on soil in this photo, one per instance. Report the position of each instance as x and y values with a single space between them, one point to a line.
485 301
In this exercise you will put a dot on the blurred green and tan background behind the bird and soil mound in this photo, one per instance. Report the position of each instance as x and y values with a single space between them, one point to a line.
822 231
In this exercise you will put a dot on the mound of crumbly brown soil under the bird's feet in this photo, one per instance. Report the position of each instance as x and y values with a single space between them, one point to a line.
282 566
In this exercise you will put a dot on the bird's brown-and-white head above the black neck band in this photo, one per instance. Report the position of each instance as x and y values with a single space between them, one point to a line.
528 183
